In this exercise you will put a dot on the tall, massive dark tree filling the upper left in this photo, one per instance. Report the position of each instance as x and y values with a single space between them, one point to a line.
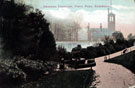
25 32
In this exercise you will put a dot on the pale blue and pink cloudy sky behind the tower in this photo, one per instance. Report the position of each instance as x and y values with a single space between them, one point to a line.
90 11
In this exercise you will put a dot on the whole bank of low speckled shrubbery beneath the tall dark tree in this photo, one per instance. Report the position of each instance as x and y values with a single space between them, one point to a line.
20 70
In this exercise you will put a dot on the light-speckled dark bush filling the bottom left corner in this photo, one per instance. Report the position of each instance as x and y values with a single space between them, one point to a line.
10 73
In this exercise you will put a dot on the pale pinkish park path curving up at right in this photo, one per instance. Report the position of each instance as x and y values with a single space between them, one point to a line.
112 75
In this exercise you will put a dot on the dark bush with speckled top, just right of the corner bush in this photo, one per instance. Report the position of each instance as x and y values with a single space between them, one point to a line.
33 69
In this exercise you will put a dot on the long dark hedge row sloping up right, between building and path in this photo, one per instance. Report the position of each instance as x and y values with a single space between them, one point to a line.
109 47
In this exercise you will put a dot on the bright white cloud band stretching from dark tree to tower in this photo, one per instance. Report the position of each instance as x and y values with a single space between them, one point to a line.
81 16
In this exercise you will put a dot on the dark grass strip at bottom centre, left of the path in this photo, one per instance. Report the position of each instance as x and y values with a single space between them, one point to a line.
64 79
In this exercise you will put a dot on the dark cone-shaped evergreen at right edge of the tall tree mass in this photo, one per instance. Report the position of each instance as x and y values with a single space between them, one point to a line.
47 46
